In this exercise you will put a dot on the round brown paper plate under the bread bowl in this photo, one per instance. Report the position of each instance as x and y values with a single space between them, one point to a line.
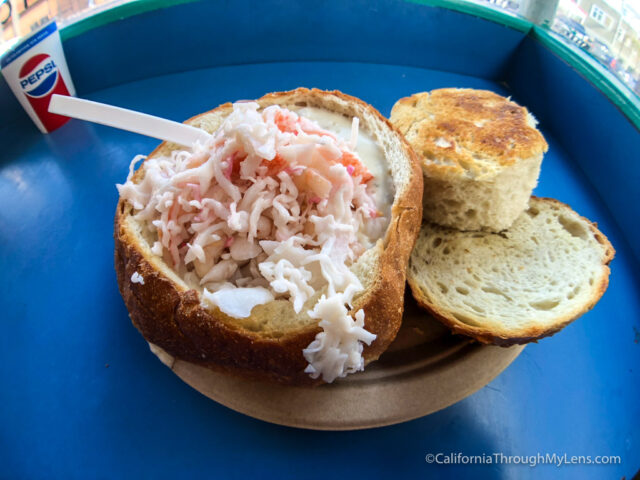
425 369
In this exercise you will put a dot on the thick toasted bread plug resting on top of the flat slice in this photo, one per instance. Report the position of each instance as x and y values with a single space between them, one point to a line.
481 155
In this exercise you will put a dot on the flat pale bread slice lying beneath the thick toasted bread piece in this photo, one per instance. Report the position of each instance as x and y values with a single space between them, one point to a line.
512 287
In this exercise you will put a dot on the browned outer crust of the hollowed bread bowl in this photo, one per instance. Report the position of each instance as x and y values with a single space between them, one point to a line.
170 316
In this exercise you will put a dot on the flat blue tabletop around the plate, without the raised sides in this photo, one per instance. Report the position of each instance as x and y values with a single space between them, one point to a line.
82 396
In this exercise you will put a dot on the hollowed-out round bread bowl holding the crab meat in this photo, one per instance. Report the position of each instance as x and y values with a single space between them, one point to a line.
269 343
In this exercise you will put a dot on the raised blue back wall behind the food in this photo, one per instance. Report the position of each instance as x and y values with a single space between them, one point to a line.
191 36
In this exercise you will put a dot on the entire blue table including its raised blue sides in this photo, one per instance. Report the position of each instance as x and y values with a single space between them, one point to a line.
83 397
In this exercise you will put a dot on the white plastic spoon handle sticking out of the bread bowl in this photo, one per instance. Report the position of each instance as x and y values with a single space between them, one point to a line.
124 119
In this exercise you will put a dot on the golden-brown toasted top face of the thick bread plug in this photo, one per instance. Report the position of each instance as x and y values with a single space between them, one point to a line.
467 132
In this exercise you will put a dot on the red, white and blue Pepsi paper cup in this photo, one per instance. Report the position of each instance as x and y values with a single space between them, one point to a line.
35 69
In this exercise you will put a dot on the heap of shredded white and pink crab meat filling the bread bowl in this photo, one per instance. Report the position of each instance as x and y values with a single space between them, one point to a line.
272 206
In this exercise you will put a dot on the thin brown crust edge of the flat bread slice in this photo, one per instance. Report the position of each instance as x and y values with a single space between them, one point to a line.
509 337
